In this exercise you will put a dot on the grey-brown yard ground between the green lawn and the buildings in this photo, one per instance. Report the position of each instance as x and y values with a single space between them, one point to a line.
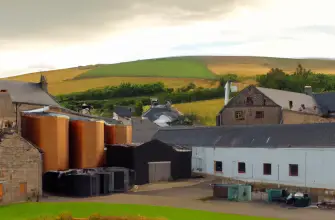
190 197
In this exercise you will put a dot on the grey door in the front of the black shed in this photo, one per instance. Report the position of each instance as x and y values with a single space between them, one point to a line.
159 171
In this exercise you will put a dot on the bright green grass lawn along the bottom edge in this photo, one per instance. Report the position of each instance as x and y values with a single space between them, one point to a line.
80 210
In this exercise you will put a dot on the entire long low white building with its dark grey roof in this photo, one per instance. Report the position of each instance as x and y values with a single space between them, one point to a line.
297 155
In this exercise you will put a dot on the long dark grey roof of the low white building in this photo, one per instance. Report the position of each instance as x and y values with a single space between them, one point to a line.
301 135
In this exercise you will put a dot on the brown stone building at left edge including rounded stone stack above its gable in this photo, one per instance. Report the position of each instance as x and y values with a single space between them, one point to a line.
20 161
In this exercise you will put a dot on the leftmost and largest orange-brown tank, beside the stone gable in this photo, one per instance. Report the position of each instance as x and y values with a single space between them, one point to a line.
50 132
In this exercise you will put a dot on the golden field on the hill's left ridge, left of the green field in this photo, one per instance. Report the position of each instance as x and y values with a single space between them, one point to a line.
53 76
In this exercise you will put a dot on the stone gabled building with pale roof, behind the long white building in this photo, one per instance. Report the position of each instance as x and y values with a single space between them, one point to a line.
256 105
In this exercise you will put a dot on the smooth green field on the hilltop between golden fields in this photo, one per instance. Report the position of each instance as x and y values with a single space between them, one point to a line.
173 67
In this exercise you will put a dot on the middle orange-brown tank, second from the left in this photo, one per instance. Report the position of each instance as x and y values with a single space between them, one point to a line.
86 144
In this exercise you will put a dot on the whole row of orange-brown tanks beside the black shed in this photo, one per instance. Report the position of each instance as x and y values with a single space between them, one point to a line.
71 143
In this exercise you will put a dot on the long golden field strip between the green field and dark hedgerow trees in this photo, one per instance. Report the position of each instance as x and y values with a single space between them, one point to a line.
85 84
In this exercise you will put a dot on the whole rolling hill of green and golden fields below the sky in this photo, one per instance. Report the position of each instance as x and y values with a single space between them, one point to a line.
174 72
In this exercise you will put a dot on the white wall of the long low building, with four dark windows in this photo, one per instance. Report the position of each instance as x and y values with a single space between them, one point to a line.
316 166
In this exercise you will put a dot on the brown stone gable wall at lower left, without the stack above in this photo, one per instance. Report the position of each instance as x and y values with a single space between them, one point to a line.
20 170
